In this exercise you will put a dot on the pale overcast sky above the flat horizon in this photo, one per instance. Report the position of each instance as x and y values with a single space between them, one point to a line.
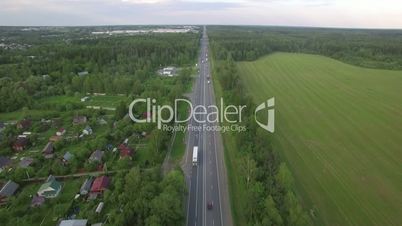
321 13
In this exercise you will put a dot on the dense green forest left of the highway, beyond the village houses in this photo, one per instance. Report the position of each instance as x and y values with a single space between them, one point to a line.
114 64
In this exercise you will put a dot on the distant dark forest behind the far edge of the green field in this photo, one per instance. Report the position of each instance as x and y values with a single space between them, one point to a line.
367 48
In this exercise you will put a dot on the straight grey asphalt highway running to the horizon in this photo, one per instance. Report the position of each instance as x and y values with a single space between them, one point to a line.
207 182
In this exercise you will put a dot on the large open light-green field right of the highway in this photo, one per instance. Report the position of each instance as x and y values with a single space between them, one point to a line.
339 127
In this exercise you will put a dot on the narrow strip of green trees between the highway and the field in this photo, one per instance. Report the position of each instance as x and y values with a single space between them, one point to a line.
269 197
